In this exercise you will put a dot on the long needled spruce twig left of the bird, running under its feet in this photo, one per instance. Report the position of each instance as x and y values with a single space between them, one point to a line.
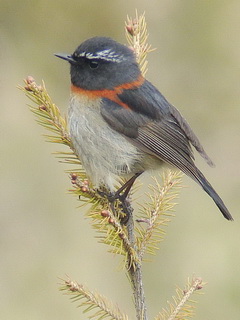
110 228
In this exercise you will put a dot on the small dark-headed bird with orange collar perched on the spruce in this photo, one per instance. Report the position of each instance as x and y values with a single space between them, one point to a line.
121 125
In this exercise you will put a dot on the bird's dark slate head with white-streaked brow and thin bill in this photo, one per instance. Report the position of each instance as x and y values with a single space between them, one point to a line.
102 63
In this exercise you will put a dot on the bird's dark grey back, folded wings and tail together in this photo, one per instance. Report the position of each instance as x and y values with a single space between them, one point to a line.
160 131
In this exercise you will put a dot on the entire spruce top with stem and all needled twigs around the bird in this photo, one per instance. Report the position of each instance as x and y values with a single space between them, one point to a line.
130 241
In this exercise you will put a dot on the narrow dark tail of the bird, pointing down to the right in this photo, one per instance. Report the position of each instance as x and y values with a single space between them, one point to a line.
213 194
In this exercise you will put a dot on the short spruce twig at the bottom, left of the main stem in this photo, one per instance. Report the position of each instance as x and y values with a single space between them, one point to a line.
98 305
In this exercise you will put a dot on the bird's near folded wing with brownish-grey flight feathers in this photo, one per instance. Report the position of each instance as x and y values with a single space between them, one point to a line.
162 138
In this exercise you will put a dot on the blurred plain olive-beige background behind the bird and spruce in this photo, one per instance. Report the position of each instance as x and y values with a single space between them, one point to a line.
43 234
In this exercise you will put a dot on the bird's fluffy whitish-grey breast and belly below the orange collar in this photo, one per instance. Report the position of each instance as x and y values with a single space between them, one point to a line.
103 152
